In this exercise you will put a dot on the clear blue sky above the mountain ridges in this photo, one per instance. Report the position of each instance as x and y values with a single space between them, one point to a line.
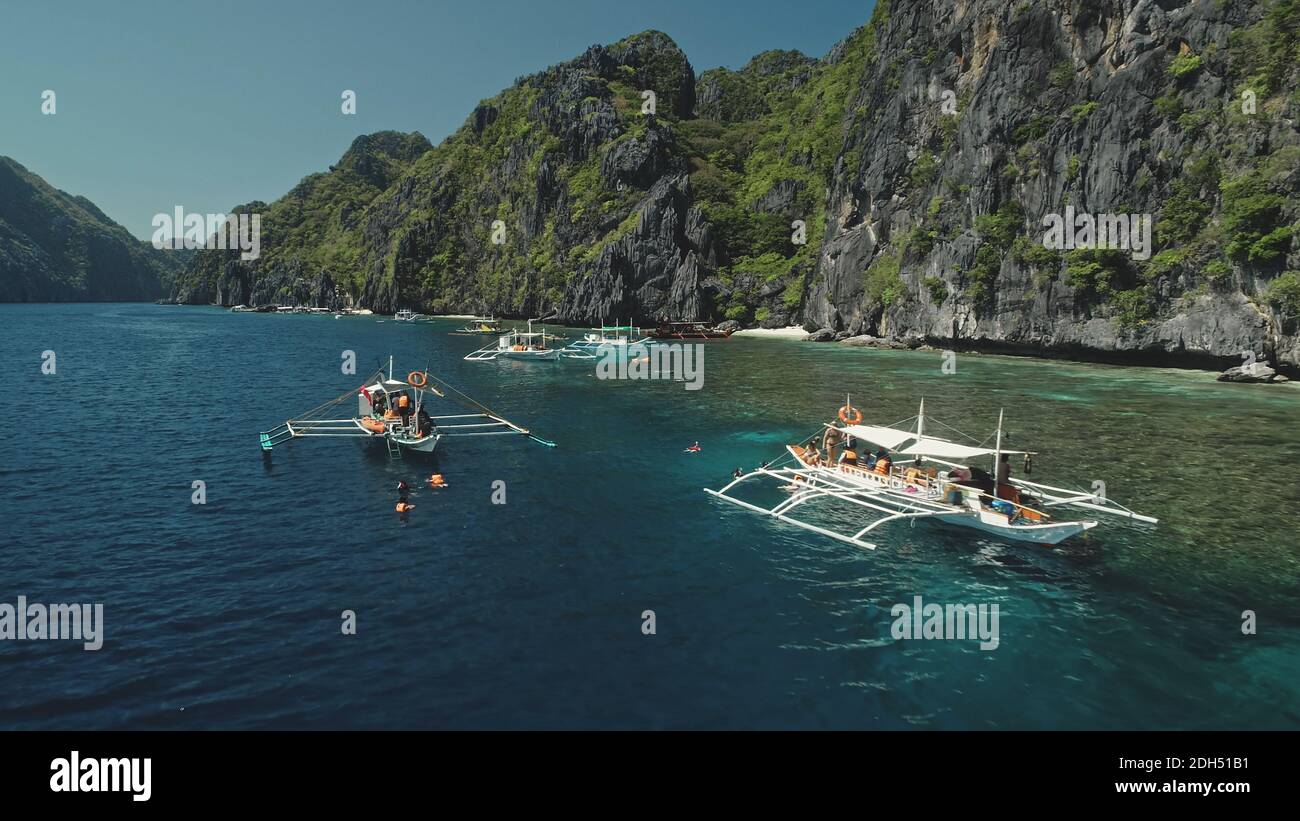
209 106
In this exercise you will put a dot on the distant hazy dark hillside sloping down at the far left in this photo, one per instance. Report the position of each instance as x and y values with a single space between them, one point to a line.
58 247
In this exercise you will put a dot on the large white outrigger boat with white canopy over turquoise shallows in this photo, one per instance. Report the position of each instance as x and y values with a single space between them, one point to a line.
915 488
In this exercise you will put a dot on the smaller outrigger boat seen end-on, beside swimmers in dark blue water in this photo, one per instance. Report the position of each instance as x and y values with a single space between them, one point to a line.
396 412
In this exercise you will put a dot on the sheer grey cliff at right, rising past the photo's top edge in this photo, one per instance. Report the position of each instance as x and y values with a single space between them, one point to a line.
981 120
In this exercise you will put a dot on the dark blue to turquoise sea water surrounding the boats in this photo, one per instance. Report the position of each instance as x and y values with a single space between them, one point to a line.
528 615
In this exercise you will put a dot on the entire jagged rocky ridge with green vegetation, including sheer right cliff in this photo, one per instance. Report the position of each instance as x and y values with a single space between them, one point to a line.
896 188
